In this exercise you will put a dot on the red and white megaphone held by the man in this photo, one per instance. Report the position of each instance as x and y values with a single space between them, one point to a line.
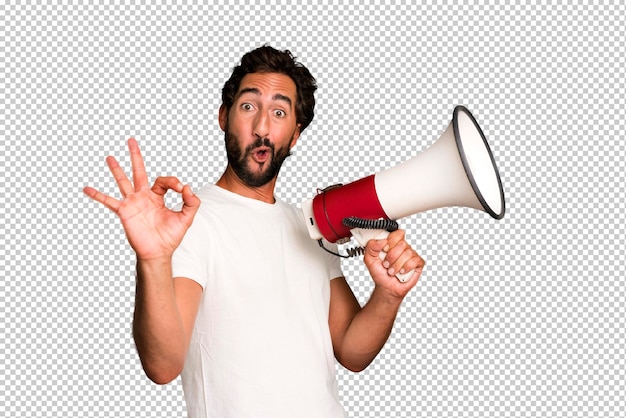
457 170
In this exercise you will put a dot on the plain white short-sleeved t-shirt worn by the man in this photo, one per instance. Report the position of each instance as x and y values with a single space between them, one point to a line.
261 344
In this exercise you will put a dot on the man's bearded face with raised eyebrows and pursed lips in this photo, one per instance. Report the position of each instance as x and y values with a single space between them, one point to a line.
260 127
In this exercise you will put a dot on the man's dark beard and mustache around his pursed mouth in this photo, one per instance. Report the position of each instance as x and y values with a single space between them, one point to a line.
259 174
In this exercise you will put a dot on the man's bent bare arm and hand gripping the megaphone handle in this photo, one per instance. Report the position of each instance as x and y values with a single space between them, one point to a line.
358 334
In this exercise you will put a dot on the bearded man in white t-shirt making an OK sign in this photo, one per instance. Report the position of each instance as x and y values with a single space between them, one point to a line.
231 291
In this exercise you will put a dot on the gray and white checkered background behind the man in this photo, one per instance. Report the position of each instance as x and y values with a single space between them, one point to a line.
522 317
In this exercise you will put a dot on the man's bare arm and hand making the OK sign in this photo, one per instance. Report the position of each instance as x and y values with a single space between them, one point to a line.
165 308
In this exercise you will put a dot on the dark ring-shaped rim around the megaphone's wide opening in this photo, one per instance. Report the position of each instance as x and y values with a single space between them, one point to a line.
467 166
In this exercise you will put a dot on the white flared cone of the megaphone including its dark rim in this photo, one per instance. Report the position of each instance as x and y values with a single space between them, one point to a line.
457 170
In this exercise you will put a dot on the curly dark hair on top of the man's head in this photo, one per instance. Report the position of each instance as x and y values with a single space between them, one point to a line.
270 60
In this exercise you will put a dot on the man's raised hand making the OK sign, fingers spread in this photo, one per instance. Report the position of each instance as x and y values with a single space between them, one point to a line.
153 230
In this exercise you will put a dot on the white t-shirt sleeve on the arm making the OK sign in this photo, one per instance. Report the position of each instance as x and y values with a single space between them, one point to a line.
190 260
